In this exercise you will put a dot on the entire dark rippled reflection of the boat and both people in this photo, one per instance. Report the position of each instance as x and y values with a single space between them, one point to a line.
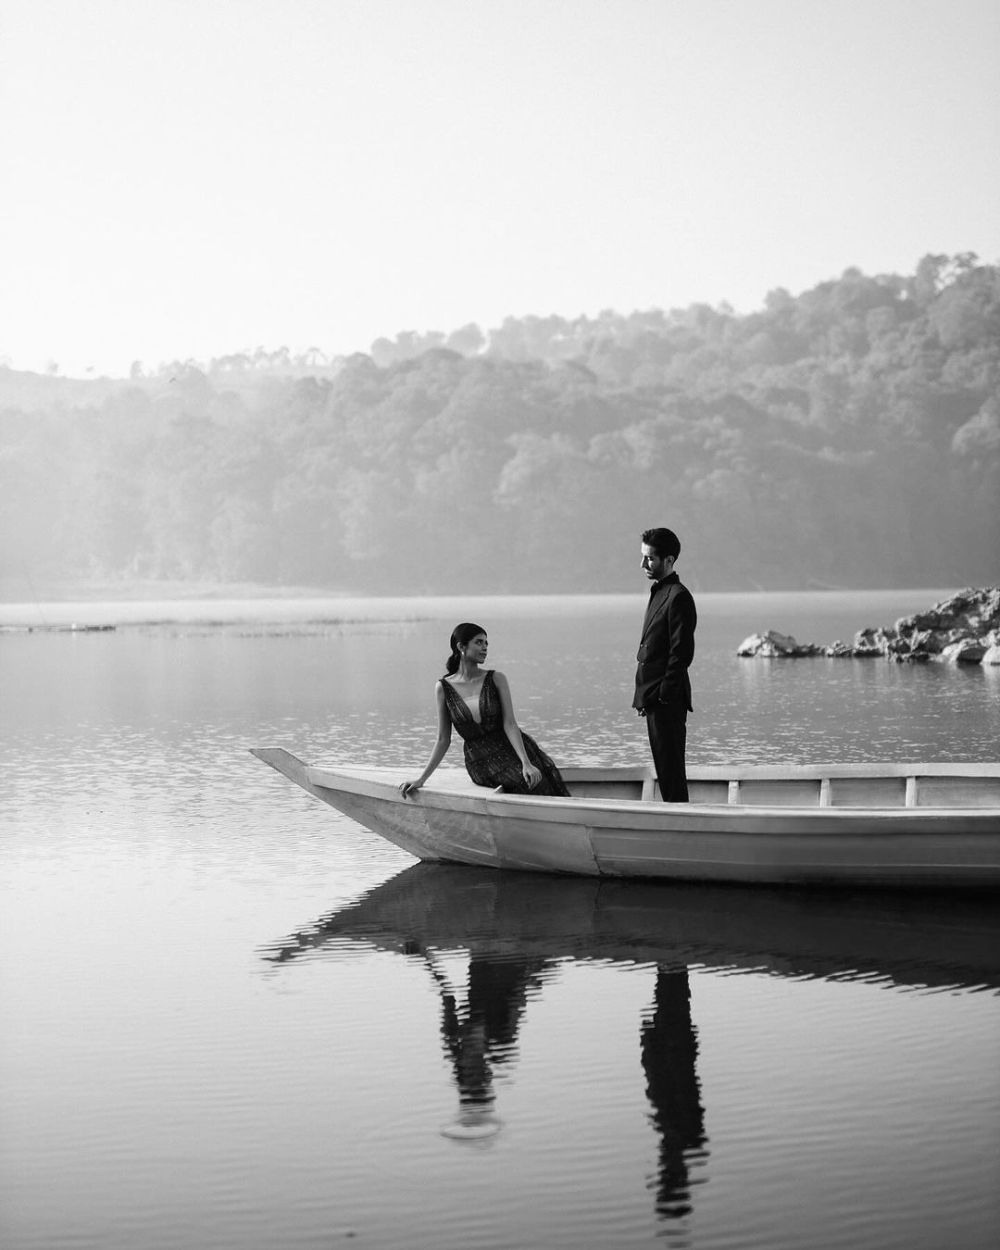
516 931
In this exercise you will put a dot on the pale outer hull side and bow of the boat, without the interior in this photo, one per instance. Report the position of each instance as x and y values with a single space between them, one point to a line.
912 847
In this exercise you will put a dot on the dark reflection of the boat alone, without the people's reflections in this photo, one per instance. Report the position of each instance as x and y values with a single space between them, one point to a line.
921 941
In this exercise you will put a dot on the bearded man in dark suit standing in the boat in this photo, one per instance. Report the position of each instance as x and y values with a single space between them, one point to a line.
663 689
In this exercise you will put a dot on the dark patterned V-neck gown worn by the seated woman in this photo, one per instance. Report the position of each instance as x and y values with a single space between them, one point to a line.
489 757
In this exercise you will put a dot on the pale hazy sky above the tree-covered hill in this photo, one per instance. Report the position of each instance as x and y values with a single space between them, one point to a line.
189 178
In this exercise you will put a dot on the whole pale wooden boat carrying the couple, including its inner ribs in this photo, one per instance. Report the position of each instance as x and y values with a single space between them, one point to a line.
898 826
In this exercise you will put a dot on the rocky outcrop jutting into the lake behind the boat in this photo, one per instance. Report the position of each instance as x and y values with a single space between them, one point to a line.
964 629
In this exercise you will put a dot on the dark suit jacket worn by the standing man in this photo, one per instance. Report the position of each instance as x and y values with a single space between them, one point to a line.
667 648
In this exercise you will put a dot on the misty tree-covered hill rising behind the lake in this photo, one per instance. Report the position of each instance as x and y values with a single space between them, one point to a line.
848 437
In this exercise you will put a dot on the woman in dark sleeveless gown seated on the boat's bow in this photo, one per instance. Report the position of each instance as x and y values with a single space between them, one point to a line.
477 702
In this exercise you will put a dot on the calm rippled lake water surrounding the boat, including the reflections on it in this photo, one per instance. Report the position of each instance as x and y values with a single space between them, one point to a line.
236 1021
